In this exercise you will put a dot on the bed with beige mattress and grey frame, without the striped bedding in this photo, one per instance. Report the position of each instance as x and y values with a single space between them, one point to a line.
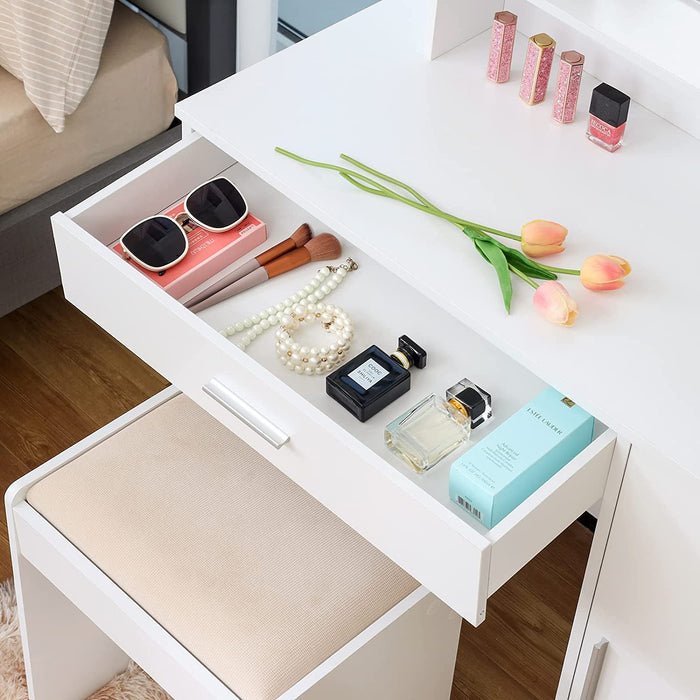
124 119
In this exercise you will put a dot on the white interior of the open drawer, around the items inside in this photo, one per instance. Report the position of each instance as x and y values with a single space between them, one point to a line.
381 305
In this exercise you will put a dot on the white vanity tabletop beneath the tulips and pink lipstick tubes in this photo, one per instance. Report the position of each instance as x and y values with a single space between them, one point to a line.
363 87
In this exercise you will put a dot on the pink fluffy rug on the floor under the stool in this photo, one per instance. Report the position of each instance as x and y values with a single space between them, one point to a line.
132 684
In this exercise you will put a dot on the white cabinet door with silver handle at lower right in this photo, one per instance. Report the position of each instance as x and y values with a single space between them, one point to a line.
647 601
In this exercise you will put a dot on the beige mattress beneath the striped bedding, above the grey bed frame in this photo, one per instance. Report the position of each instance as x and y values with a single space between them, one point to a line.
131 100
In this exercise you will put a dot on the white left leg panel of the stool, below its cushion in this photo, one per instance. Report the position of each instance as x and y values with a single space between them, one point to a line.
66 656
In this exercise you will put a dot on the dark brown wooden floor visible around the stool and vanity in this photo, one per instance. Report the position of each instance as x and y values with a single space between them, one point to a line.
62 377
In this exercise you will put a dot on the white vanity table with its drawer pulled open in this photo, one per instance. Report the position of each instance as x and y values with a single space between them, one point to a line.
364 87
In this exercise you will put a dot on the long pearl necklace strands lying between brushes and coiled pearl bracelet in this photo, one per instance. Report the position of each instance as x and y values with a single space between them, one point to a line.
322 284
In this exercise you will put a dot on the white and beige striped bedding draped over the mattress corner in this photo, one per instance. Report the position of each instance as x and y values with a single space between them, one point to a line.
54 47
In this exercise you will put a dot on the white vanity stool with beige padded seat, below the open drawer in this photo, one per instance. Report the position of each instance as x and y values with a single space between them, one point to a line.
166 539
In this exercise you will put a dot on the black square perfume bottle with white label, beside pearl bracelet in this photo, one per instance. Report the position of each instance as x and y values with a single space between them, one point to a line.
373 379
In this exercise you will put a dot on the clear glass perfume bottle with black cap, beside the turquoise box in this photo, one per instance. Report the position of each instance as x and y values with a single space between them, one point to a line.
433 428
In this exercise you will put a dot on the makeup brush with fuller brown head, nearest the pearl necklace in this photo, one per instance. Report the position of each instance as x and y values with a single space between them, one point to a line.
323 247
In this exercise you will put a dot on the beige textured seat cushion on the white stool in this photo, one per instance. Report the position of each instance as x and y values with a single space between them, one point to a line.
253 576
